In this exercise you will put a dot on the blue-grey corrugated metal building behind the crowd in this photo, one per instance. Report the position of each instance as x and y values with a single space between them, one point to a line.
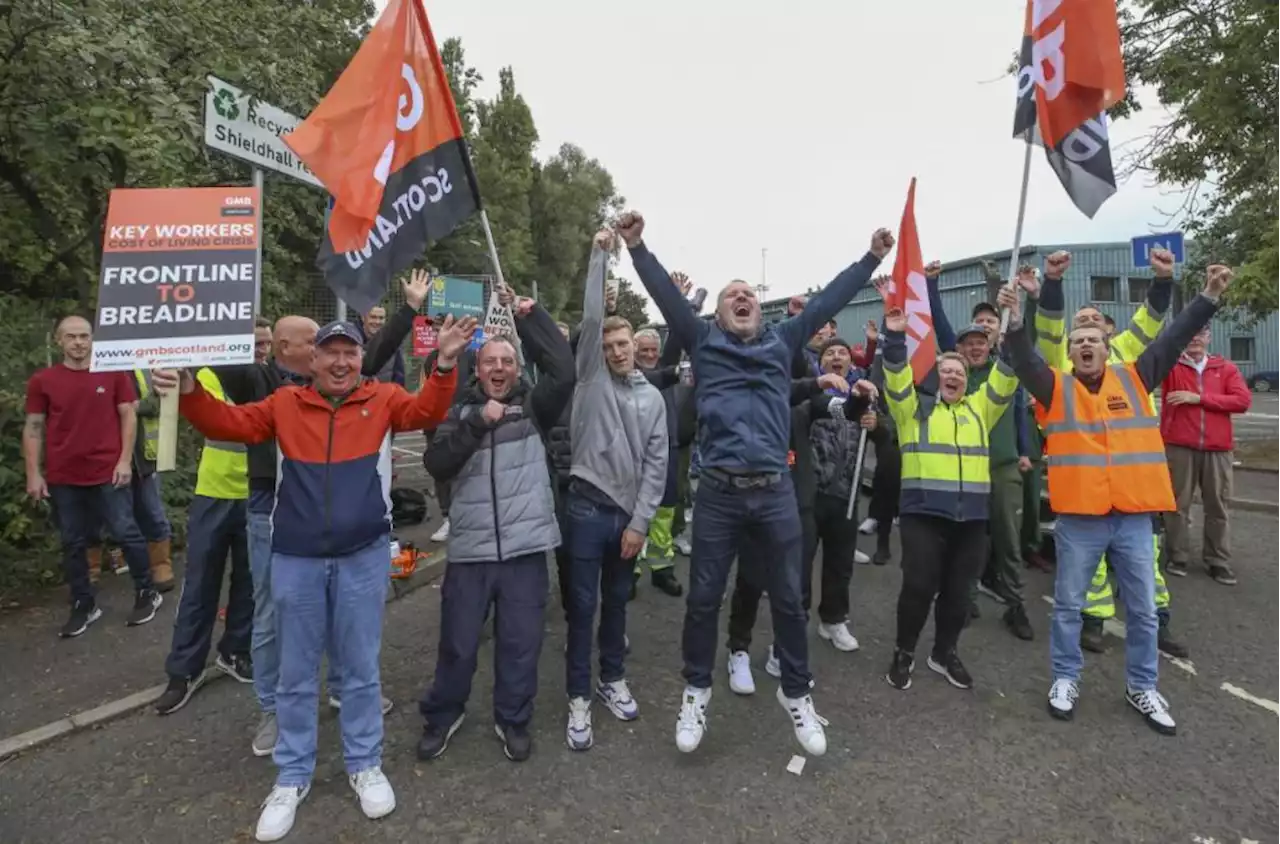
1100 275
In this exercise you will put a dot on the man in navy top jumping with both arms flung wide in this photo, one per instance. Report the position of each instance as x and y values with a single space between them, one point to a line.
743 387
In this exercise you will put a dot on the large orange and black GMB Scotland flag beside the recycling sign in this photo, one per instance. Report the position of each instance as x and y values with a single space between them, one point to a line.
388 145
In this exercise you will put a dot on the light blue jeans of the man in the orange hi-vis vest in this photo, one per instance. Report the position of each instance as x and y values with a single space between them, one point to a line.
1127 540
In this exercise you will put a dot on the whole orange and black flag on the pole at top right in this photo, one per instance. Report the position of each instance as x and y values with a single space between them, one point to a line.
1071 72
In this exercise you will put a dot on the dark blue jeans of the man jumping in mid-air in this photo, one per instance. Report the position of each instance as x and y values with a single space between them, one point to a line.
770 521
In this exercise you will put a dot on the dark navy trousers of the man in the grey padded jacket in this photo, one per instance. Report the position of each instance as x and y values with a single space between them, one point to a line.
518 591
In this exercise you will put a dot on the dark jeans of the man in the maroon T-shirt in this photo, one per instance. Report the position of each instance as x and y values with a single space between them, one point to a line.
80 513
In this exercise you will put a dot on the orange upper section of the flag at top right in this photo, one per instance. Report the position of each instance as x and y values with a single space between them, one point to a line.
1076 63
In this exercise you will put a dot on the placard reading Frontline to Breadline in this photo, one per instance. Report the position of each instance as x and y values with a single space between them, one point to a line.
180 279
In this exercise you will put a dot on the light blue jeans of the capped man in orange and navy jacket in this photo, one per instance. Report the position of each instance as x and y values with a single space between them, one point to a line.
335 606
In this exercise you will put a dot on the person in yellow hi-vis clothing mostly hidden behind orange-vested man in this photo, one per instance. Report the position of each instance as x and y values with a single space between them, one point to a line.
1124 349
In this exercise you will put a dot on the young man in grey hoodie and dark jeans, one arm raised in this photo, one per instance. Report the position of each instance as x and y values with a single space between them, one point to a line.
619 436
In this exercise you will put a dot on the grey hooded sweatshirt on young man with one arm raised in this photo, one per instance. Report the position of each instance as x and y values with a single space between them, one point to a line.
619 430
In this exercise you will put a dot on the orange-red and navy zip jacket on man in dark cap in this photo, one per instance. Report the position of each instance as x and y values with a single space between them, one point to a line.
333 486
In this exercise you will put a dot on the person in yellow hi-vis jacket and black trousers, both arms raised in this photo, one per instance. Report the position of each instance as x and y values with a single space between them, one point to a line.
947 492
